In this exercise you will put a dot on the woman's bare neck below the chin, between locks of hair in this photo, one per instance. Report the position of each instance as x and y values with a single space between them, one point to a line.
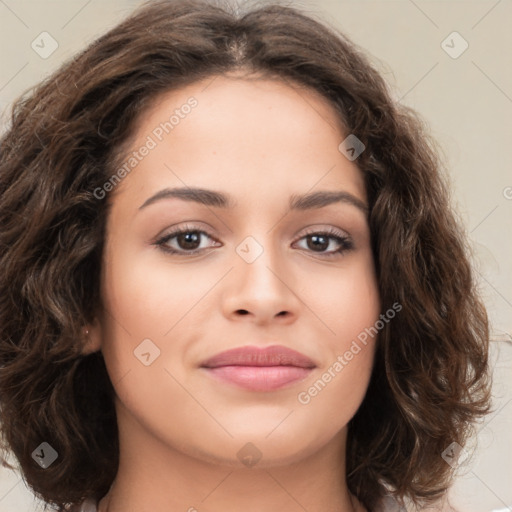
154 476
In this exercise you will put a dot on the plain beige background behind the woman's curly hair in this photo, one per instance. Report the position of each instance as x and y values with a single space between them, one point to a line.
467 102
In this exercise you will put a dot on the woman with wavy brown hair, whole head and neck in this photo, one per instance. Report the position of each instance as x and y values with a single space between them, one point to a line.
231 278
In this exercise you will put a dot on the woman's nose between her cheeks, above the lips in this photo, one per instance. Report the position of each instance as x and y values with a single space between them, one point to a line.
261 291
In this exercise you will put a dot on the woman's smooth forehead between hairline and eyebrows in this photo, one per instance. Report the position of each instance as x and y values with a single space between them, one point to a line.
253 136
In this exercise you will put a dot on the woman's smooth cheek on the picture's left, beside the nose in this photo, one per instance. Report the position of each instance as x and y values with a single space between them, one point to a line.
141 347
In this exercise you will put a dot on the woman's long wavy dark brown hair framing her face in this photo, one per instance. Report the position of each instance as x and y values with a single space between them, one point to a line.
430 379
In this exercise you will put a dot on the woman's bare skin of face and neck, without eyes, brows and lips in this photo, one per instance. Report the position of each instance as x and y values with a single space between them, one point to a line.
260 141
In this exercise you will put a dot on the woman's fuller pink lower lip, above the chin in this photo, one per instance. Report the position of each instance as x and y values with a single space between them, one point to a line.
260 378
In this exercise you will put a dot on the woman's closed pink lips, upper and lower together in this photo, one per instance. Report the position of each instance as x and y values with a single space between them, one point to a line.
259 369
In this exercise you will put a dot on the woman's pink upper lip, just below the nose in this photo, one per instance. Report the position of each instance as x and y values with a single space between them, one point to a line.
275 355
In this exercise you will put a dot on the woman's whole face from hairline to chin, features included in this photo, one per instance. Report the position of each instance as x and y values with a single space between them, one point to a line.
264 260
